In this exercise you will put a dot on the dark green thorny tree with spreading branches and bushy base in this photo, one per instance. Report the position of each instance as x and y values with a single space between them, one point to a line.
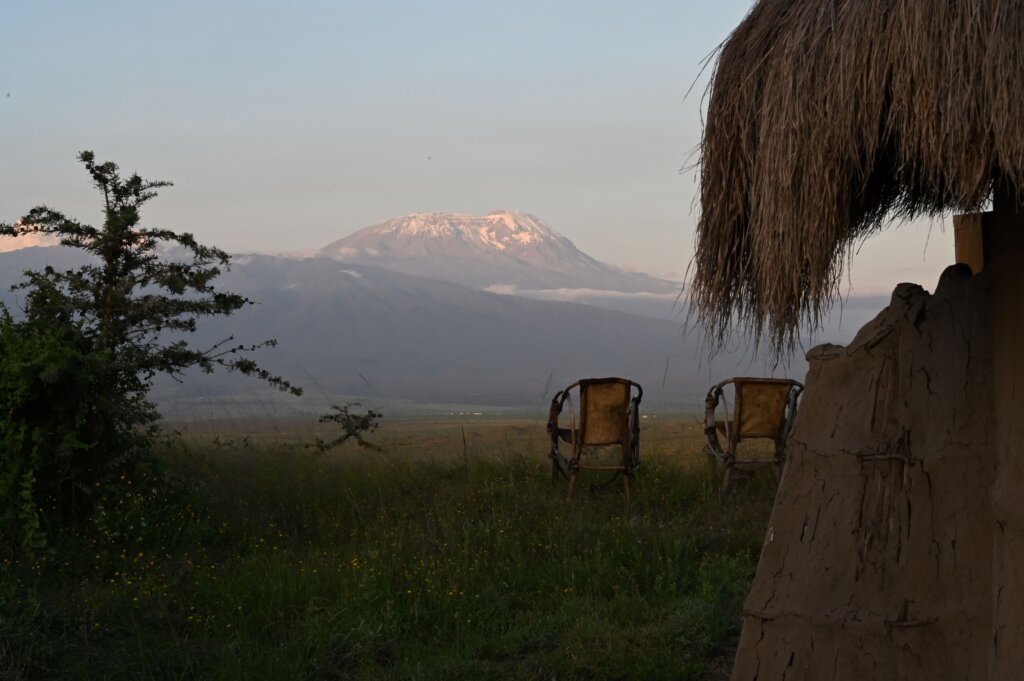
78 367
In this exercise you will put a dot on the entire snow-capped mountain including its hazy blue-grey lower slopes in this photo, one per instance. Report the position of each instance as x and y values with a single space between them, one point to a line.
408 311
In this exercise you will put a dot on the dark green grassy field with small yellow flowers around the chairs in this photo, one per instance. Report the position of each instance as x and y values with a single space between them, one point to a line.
434 560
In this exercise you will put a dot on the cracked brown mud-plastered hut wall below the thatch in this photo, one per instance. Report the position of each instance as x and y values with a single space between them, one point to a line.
879 560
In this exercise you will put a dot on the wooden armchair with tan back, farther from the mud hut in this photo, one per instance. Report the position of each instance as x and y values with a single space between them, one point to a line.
609 415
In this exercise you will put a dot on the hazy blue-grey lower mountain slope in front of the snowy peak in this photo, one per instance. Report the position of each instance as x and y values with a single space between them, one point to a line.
353 330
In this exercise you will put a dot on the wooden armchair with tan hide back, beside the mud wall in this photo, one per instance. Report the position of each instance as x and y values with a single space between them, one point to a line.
763 409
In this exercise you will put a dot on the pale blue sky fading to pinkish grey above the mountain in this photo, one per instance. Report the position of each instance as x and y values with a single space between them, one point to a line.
288 125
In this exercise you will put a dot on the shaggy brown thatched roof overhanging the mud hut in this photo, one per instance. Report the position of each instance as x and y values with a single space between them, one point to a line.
829 118
